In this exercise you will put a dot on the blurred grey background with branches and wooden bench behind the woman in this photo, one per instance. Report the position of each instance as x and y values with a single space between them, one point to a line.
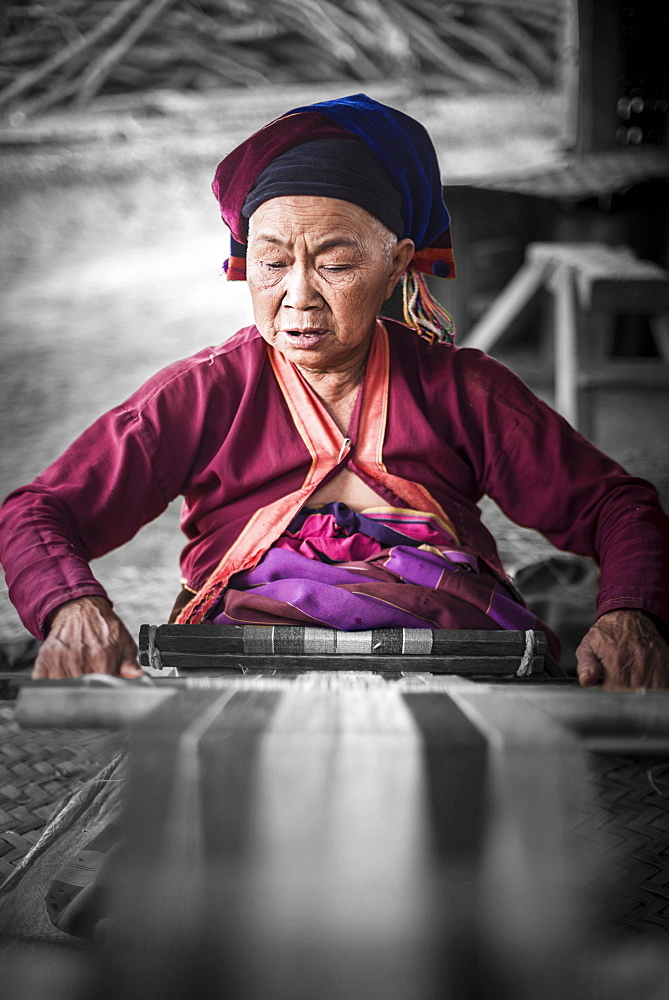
549 119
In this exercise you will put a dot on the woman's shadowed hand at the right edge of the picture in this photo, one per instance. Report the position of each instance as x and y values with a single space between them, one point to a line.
624 649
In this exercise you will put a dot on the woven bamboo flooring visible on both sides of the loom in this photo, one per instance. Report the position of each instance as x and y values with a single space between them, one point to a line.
40 769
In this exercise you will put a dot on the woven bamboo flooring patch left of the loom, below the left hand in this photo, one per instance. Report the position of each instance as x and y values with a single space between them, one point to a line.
39 769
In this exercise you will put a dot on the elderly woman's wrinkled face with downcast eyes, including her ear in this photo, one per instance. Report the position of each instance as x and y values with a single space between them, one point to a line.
319 270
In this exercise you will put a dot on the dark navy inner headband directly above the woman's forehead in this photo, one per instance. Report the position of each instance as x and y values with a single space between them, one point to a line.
331 168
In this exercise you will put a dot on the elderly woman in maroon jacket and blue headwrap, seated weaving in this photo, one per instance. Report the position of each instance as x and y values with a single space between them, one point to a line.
331 461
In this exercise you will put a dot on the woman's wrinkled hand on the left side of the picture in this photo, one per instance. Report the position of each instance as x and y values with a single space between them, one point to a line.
87 637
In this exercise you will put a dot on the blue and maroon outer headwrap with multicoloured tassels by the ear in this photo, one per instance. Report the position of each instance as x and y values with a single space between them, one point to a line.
403 149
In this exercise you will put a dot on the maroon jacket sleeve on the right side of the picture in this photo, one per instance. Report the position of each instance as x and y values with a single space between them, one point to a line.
546 476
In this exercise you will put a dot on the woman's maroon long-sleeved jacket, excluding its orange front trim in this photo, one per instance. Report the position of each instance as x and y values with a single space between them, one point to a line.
216 429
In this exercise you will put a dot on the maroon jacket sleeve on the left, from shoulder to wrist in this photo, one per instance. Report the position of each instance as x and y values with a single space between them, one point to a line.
120 474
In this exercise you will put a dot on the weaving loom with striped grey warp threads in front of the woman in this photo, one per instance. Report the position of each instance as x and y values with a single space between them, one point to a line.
292 830
